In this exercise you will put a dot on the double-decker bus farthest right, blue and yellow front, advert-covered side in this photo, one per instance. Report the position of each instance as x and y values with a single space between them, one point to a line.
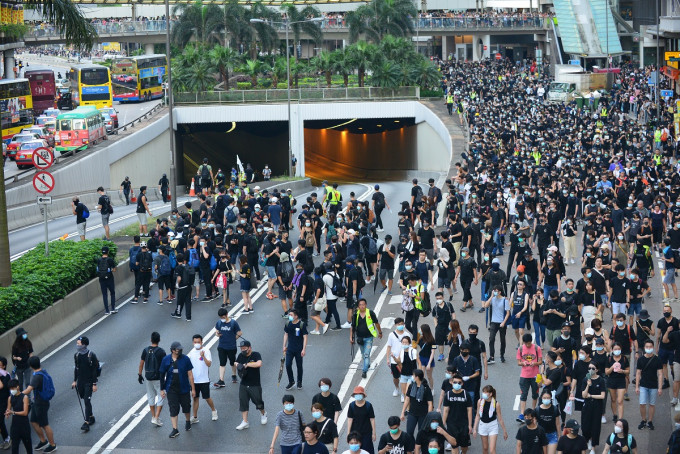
138 78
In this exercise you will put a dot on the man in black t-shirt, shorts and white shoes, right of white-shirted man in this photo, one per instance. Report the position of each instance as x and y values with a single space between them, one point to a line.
249 363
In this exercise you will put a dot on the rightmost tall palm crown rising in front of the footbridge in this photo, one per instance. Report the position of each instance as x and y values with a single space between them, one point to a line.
380 18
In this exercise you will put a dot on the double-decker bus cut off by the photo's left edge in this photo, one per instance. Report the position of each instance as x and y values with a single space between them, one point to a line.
16 107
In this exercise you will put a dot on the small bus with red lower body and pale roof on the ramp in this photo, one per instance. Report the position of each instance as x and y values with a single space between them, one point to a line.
80 127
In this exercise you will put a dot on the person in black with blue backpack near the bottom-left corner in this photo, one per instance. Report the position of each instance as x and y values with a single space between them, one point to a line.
41 385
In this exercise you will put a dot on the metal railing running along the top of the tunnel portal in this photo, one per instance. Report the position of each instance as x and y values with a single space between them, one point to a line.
297 95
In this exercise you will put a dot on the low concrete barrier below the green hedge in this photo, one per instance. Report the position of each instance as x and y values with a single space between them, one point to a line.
46 328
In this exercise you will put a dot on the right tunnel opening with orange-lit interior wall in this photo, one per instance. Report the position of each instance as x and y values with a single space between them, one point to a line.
370 149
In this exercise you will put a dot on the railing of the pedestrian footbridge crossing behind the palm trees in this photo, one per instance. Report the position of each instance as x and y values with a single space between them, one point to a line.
497 23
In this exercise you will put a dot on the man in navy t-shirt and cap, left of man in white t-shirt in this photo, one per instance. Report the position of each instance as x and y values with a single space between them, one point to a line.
177 385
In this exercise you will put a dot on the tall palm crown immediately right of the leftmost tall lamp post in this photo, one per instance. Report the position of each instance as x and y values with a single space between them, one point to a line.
196 21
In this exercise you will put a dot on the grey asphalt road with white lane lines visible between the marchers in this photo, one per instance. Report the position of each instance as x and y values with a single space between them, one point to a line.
123 423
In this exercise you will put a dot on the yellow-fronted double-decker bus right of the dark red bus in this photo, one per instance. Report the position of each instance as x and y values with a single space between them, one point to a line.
91 85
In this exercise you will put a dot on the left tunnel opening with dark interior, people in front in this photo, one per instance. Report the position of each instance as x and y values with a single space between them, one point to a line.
256 143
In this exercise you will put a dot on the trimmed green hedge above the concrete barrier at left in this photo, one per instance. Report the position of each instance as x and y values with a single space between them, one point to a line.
39 281
